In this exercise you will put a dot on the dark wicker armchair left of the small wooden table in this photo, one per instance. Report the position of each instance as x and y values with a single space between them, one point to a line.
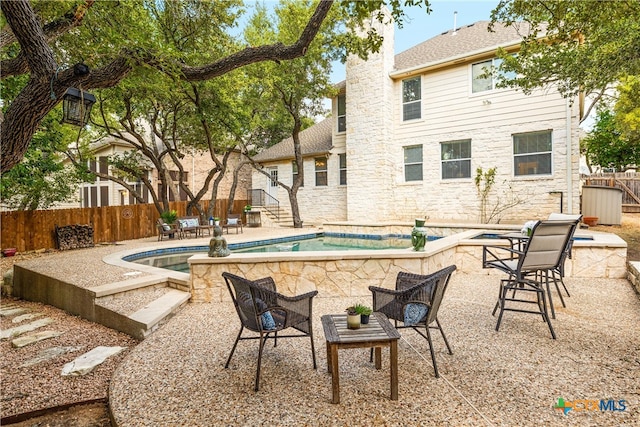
262 310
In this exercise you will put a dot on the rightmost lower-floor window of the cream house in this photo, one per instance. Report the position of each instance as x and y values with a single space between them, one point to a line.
532 153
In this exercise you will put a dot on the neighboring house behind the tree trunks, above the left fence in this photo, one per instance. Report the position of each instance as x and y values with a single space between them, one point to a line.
103 192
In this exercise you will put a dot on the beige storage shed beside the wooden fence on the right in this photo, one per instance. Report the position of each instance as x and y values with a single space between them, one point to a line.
602 202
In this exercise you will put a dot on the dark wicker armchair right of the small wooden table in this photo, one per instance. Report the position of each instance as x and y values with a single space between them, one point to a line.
415 302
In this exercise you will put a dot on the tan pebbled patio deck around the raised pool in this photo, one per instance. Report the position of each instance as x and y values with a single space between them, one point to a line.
176 376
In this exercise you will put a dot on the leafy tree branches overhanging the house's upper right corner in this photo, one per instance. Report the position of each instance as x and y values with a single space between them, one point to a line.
588 45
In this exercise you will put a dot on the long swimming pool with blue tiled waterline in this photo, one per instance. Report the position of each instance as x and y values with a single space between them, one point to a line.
176 258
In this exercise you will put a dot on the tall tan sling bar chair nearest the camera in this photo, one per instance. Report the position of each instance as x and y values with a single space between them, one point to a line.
529 269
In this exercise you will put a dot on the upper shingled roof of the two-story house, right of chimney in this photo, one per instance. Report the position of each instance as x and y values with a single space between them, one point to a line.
465 41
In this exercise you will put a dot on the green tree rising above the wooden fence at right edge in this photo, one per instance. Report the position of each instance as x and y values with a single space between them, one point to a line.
605 145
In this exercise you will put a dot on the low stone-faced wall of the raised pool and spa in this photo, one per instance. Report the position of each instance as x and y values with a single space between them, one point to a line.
350 273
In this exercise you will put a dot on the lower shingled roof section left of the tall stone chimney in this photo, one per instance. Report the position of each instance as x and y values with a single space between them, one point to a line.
313 140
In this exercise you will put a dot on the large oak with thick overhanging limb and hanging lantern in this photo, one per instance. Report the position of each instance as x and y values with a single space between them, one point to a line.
122 40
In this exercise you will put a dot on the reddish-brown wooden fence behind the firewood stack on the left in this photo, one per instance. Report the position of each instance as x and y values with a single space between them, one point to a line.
32 230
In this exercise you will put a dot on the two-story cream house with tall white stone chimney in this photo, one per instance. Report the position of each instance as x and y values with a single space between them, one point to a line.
408 132
